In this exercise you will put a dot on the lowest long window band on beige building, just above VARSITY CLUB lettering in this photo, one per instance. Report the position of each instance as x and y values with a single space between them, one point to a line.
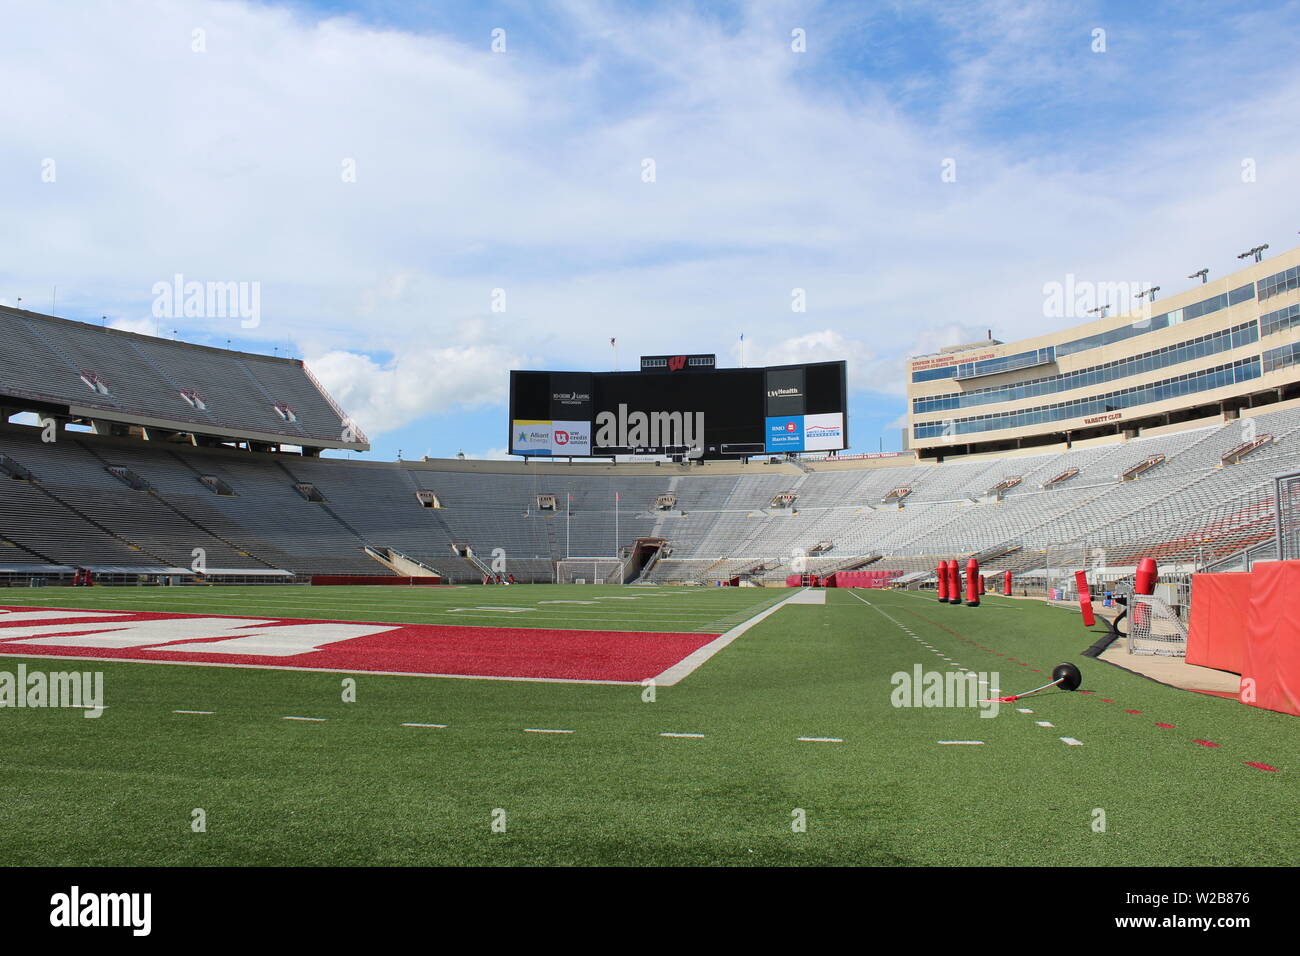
1204 380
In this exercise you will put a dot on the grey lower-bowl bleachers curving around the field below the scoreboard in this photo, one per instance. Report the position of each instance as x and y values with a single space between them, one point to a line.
75 512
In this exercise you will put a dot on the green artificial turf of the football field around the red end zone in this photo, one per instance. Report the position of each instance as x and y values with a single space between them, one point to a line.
359 789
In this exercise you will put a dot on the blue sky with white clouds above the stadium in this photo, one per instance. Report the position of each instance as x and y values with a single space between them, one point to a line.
210 140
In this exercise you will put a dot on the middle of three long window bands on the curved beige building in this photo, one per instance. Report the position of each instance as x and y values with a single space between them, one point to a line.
1194 349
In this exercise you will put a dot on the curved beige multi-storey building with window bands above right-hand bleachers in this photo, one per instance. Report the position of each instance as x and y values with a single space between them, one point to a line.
1208 352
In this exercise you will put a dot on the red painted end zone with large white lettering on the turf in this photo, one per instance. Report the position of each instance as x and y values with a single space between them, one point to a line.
344 646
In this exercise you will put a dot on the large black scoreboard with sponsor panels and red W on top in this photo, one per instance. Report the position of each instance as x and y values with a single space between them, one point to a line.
681 406
